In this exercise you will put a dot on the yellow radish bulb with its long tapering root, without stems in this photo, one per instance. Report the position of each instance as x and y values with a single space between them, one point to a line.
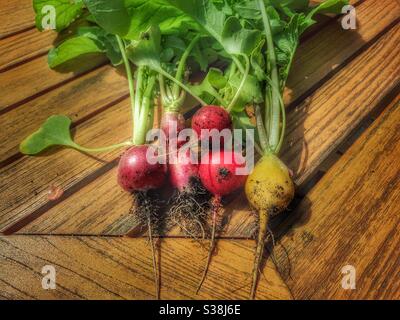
269 189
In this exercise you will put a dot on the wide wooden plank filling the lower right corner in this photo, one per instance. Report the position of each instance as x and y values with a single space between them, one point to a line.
352 217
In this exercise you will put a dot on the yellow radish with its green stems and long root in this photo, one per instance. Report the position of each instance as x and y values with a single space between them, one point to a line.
269 188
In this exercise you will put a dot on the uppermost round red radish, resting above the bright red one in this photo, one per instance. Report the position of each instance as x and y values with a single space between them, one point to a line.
211 117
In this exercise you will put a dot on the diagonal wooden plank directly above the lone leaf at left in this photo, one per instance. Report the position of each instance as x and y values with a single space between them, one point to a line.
78 99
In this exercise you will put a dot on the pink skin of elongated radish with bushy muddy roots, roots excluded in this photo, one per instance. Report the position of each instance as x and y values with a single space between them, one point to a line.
182 171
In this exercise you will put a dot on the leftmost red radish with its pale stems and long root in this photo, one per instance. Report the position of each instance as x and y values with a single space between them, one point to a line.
135 172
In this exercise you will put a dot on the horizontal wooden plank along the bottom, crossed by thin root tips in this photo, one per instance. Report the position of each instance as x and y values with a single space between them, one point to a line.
121 268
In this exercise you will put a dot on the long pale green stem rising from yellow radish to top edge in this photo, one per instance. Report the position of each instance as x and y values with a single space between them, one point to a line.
275 121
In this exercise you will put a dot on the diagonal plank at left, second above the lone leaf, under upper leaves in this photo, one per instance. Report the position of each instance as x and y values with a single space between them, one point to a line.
34 78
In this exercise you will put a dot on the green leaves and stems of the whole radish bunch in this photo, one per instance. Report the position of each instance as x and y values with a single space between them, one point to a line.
167 38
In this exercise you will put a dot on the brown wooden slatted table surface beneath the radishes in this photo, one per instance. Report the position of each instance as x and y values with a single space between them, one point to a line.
343 144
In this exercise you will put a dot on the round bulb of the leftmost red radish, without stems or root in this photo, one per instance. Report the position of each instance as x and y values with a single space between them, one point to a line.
135 173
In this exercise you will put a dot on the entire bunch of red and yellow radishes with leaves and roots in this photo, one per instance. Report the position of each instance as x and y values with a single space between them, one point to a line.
254 44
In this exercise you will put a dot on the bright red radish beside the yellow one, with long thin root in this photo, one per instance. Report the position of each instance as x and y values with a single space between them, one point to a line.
219 175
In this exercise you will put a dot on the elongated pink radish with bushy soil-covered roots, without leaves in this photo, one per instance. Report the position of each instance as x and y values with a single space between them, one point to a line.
190 203
